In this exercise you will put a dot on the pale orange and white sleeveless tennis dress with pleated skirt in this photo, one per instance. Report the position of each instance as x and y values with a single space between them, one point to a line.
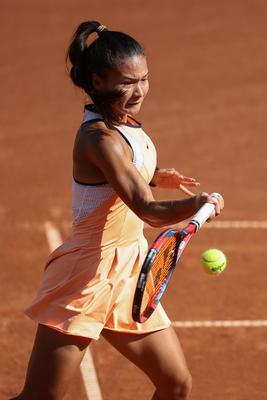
89 281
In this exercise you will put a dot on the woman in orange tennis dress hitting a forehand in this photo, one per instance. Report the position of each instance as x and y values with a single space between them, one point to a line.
89 281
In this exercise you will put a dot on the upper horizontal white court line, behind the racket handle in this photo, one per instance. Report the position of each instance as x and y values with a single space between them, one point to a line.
225 225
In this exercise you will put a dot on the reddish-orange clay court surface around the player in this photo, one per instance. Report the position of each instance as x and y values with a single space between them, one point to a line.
206 113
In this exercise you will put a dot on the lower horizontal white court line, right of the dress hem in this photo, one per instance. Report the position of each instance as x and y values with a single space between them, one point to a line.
221 324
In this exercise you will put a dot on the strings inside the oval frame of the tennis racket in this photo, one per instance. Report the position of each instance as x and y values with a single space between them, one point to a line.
159 271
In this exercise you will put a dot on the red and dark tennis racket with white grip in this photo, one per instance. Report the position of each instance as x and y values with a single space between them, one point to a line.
160 262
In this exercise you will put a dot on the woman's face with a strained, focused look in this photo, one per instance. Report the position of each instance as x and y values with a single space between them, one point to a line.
131 79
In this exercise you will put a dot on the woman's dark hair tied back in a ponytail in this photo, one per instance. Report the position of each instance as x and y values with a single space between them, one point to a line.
103 54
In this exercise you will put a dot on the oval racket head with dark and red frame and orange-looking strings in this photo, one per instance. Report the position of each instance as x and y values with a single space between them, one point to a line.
155 274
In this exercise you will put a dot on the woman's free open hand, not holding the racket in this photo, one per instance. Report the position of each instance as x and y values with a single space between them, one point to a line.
169 178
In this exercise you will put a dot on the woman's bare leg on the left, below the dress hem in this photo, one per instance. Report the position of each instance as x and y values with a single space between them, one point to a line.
54 360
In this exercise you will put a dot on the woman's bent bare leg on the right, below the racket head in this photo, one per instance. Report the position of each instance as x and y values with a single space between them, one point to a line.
160 356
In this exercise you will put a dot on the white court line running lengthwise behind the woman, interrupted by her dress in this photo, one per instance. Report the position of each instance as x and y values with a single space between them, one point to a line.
87 367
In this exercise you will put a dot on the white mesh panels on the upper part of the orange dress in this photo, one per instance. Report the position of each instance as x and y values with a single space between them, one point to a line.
87 198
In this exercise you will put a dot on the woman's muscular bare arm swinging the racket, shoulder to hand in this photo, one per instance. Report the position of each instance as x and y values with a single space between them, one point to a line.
108 152
